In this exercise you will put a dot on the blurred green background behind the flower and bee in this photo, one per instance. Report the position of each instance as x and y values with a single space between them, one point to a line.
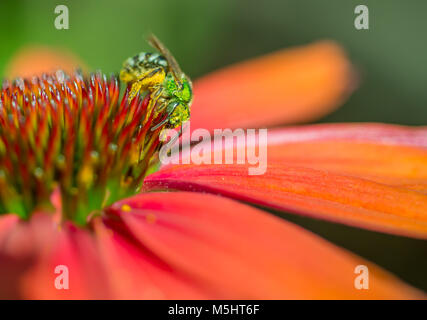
391 58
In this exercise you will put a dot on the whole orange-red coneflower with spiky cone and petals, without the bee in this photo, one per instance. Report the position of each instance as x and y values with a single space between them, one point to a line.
66 141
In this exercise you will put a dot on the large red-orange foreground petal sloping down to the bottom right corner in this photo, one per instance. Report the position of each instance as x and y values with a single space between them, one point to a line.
234 251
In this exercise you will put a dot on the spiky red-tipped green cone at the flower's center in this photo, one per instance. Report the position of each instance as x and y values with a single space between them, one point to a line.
71 134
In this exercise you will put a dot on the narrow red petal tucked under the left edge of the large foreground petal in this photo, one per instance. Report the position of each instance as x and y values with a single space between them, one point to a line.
134 272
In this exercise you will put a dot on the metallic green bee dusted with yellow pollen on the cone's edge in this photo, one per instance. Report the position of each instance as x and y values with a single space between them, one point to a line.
161 75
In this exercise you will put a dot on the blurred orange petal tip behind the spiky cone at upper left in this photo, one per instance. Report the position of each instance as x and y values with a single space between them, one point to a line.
34 61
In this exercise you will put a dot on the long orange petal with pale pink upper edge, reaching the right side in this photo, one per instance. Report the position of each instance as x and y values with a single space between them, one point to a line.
369 176
